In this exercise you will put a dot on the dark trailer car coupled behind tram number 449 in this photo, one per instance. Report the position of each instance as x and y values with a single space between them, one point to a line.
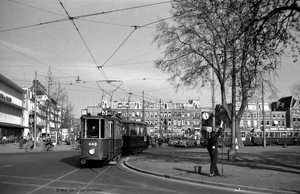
135 138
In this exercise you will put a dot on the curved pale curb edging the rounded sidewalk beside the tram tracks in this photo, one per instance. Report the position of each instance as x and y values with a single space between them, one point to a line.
229 186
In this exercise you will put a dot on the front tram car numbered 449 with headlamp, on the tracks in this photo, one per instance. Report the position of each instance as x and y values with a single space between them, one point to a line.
101 135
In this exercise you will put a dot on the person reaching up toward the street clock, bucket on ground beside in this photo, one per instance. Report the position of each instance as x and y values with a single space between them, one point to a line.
212 147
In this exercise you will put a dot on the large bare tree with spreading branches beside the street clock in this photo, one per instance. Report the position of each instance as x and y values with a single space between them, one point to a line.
219 35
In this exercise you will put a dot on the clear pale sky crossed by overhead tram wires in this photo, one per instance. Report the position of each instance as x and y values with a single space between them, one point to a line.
36 35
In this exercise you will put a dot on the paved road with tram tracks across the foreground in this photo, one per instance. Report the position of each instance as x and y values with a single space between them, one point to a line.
59 172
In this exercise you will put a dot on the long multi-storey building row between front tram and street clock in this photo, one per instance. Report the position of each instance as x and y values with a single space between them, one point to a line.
165 119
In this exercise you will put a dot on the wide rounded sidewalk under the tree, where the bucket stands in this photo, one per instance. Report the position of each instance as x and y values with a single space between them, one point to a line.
272 169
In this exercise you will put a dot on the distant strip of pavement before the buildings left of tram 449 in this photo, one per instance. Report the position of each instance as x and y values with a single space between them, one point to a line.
14 148
